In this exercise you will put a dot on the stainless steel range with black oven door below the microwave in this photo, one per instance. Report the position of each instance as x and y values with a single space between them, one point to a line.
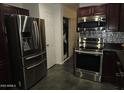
88 55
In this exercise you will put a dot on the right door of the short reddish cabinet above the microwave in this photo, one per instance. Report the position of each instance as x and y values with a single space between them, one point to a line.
99 10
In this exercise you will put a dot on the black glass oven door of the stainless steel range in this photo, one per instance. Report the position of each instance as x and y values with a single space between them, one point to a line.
88 61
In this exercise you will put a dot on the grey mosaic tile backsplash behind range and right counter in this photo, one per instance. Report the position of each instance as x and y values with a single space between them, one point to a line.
108 37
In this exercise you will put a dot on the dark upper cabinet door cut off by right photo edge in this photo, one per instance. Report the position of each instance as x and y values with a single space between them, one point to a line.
121 28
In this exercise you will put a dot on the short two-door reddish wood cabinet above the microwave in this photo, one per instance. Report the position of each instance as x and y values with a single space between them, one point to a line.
92 10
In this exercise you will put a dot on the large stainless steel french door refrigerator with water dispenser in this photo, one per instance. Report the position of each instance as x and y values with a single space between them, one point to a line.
26 39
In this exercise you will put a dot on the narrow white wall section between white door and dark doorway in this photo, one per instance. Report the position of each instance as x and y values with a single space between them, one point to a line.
59 33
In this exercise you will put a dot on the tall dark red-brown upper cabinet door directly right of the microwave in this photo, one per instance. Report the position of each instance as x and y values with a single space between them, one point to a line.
113 17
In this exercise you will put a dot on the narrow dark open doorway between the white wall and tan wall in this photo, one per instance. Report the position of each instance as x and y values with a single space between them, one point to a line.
65 37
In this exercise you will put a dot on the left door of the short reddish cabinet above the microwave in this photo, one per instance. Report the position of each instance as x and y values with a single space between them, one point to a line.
85 11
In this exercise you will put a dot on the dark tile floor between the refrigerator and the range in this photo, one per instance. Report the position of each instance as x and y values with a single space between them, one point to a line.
60 77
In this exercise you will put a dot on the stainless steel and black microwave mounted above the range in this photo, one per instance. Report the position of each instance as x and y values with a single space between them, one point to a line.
92 23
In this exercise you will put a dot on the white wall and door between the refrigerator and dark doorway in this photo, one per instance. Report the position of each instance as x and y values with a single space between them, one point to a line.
52 15
